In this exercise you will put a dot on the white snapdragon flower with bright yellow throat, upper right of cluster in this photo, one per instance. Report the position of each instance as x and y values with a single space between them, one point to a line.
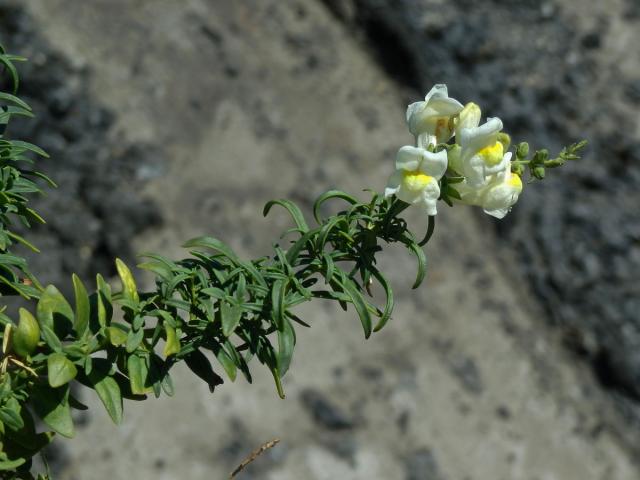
481 154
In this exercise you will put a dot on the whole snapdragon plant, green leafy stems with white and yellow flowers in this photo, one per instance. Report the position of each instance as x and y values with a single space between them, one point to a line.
214 310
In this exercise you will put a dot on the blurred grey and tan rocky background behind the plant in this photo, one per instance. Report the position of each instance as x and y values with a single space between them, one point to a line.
518 359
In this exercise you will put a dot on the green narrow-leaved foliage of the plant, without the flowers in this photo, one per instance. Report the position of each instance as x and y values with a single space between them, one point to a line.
212 310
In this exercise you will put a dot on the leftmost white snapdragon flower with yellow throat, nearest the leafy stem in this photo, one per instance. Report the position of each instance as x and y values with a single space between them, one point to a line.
415 180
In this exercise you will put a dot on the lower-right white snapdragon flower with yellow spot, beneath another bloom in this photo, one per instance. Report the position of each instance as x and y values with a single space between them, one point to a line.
499 194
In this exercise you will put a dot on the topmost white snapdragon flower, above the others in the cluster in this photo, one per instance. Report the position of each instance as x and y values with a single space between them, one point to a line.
431 121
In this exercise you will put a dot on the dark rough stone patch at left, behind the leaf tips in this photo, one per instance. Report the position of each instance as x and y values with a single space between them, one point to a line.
97 210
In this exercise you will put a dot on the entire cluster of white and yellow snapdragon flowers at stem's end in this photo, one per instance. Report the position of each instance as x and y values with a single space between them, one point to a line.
476 168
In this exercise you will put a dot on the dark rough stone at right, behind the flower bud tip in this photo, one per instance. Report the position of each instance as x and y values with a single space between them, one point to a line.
555 72
